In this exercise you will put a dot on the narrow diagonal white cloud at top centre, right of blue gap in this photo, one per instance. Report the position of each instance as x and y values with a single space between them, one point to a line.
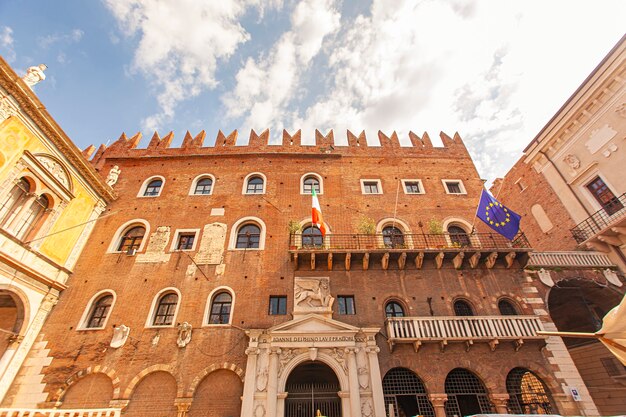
264 87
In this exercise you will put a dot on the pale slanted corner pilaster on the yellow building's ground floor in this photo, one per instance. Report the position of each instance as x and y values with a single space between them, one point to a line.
29 338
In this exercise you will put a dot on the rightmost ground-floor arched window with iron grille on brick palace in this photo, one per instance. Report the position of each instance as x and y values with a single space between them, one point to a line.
527 393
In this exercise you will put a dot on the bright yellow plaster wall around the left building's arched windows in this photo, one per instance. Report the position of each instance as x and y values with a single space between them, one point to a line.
15 138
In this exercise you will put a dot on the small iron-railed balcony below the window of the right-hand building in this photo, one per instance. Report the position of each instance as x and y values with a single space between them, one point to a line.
611 215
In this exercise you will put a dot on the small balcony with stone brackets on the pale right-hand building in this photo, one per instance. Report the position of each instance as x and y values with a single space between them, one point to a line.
606 226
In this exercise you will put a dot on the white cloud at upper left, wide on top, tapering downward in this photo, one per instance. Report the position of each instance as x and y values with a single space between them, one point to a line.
181 44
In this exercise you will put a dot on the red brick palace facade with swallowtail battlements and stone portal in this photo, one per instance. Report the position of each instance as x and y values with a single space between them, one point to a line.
206 291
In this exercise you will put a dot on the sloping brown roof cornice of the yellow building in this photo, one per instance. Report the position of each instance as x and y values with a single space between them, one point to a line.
36 111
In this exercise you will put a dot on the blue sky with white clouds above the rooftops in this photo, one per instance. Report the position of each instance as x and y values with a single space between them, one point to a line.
493 70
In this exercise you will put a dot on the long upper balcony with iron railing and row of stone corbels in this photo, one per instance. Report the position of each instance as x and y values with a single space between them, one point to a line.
407 250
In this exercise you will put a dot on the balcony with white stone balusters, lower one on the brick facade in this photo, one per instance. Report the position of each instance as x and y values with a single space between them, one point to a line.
468 330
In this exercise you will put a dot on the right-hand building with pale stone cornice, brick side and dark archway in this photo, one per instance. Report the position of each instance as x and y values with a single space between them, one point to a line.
570 187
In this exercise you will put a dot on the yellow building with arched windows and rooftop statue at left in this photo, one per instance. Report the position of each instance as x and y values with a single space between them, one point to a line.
49 198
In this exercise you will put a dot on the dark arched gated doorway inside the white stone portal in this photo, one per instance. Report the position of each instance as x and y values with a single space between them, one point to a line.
312 386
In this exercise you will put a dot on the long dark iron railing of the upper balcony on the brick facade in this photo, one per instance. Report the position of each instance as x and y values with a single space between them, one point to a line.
415 241
